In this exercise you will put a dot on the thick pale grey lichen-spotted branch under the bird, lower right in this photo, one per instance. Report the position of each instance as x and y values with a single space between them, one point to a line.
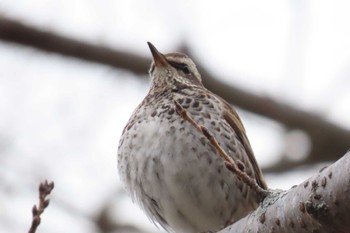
320 204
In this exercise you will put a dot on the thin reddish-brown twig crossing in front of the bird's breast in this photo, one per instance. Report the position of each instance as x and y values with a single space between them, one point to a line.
229 162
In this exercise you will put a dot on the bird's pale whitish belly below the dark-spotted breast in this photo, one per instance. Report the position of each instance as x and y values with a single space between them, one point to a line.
180 179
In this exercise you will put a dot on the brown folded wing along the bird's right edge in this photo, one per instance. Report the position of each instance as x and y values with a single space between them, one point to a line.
232 118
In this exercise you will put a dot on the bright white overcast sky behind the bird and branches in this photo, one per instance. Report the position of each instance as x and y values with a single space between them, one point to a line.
61 118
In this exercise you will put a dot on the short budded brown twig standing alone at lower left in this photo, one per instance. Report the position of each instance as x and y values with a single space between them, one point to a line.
45 189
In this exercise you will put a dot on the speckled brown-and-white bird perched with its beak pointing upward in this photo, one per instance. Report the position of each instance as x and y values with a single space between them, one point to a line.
170 168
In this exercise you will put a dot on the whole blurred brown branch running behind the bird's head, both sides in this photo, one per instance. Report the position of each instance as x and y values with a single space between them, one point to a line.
329 140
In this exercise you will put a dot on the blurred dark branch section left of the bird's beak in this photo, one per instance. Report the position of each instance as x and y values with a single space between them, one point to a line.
17 32
